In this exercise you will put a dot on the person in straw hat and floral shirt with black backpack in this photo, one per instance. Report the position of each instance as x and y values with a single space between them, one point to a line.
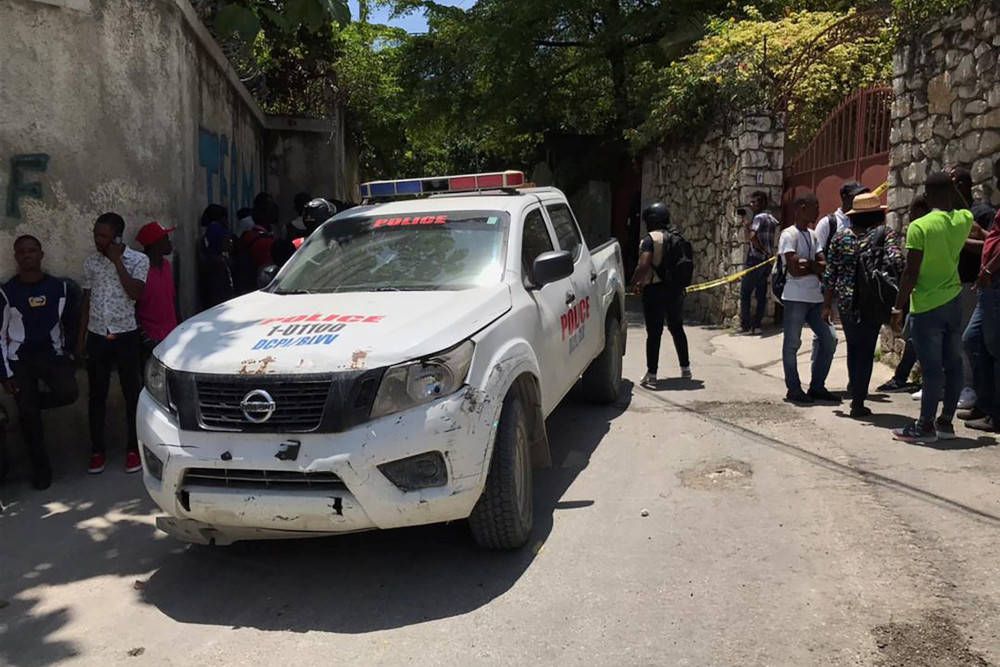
862 275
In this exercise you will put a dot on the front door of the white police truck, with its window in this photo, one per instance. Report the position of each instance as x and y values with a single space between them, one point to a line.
550 301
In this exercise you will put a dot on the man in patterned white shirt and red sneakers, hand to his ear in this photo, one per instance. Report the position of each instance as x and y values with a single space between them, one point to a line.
114 278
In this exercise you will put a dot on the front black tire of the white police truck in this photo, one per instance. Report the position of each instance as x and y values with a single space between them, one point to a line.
504 515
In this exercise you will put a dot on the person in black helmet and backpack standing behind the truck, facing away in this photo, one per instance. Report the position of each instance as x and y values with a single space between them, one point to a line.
665 270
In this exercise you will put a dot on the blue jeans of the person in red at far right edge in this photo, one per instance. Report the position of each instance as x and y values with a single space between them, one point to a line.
984 350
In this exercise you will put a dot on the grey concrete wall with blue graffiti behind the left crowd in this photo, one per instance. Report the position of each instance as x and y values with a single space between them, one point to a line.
130 106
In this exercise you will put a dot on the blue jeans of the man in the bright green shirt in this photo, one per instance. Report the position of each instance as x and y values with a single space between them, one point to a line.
937 338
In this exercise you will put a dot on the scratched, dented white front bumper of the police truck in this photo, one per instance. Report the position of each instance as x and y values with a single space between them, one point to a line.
213 485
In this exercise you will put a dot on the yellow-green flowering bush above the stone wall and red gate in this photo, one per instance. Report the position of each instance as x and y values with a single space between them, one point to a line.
736 66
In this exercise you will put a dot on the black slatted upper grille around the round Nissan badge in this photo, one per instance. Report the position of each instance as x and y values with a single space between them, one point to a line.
298 405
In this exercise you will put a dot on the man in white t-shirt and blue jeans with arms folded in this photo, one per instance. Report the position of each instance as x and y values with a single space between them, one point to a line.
802 257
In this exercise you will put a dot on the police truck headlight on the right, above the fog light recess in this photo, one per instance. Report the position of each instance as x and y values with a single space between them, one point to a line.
418 382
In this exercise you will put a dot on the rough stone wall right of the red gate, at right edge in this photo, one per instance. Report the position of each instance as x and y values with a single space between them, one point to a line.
946 111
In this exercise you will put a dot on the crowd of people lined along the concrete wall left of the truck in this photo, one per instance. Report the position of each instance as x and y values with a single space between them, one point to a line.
126 305
